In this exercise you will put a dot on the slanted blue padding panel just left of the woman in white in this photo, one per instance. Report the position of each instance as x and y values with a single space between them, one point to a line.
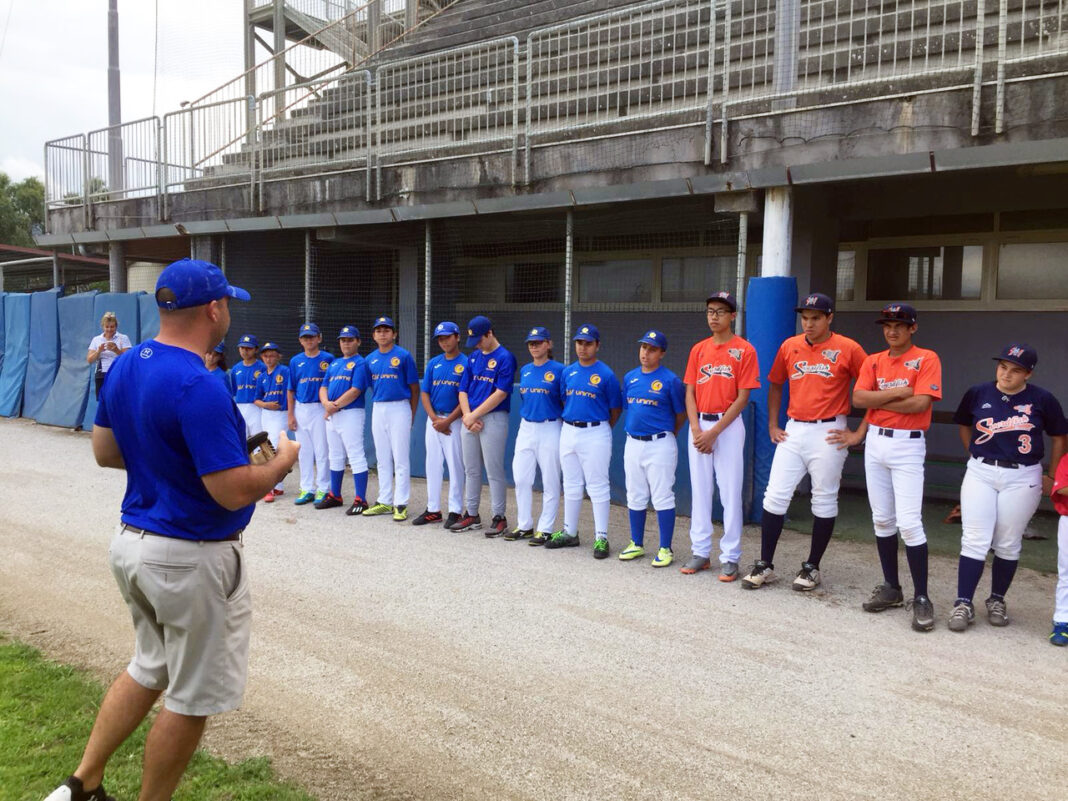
66 404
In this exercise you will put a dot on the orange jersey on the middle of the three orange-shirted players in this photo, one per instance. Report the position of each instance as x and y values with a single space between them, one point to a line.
820 375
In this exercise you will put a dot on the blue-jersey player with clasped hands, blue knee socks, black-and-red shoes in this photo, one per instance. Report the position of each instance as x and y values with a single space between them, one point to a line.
343 406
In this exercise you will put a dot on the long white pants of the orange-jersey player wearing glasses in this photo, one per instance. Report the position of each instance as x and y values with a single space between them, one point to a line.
720 469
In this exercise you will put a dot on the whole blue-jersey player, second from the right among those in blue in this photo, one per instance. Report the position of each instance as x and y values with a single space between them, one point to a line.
592 405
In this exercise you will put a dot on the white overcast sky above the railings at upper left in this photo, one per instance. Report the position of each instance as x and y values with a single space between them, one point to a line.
54 67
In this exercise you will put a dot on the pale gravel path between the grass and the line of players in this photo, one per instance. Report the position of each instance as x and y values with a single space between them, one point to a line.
395 663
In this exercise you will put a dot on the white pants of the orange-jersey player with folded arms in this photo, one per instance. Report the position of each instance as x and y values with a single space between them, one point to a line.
894 475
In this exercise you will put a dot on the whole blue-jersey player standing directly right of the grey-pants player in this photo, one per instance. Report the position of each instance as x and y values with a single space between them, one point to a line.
538 443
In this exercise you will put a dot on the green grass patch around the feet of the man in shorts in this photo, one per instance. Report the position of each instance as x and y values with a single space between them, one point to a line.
46 713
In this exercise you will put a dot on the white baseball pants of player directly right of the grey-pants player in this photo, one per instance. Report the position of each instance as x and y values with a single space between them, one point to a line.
538 448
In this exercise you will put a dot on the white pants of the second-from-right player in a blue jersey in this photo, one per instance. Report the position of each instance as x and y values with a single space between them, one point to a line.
585 459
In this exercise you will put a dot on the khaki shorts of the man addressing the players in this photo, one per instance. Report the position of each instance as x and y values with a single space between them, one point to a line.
193 612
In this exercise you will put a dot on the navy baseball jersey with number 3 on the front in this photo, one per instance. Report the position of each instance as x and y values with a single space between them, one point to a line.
1011 428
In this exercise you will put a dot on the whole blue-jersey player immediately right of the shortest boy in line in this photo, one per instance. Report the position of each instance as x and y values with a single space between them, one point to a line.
306 416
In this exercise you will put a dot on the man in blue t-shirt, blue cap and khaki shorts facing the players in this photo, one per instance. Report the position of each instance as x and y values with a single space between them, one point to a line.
178 555
